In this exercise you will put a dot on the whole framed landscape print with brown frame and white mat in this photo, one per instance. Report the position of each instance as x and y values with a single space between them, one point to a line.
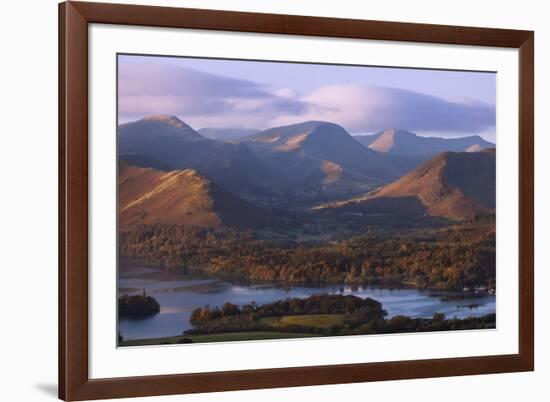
259 200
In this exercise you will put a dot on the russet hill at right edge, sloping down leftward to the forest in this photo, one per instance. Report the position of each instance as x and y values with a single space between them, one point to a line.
453 185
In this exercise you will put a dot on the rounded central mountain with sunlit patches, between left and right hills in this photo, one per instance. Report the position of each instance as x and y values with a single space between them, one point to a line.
321 155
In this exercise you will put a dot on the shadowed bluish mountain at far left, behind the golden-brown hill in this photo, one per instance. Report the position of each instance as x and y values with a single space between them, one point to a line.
172 143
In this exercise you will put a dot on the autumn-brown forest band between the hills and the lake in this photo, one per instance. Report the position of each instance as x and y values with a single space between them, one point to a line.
451 258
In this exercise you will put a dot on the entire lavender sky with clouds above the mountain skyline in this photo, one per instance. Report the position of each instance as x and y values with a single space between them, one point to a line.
257 94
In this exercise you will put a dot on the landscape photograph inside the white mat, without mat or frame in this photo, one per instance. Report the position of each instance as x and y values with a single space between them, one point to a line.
273 200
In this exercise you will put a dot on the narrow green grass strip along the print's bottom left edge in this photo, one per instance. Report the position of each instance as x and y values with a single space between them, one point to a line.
225 337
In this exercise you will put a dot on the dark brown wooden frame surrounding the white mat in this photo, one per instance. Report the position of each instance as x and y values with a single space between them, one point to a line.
74 17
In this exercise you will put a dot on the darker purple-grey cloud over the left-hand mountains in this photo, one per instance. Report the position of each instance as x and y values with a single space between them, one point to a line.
199 98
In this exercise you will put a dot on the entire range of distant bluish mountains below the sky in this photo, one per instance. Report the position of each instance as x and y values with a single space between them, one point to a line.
306 162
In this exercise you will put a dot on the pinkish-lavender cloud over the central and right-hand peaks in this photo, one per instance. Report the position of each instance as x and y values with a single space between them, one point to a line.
370 108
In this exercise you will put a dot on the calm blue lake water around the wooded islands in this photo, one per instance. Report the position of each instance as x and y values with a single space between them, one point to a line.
179 294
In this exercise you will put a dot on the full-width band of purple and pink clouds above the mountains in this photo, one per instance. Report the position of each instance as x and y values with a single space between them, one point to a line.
207 100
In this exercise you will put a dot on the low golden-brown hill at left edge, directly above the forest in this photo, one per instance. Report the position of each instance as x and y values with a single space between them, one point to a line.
147 195
